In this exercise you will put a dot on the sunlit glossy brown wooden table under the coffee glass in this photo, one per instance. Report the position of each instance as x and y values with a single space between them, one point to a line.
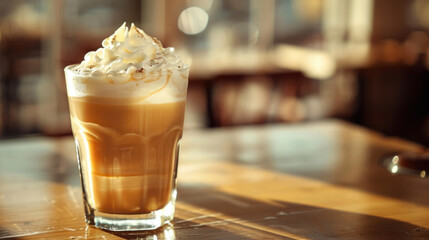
317 180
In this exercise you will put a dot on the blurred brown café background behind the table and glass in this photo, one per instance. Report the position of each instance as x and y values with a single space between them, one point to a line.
252 61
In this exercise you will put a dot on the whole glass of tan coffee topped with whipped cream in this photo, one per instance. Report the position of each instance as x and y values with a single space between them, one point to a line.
127 104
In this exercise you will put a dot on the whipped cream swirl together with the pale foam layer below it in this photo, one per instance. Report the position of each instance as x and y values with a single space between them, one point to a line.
131 64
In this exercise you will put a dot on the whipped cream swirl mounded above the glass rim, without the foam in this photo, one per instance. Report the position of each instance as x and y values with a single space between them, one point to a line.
128 51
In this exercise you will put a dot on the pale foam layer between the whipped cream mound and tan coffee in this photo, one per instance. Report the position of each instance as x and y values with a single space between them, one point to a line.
156 87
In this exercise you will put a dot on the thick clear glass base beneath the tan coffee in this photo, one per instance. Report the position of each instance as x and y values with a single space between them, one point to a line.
131 222
